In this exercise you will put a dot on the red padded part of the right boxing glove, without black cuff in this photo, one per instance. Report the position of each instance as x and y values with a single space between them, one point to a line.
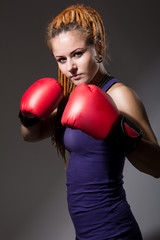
91 110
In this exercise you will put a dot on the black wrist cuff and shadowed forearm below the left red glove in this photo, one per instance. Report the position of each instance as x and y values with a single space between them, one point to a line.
40 131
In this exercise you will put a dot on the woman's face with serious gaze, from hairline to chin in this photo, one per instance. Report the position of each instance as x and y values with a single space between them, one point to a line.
75 58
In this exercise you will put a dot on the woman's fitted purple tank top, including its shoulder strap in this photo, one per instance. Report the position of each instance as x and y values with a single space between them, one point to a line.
95 194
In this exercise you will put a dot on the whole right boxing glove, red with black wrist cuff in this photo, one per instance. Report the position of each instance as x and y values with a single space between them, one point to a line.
93 111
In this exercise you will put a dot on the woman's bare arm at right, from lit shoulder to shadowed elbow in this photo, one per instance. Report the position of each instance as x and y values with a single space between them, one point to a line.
146 157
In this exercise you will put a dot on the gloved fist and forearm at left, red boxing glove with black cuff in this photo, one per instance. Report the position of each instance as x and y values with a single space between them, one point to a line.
38 109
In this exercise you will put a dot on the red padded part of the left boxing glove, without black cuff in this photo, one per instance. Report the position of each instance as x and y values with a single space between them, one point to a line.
41 98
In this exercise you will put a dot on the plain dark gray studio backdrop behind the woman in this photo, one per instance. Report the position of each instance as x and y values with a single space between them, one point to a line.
32 176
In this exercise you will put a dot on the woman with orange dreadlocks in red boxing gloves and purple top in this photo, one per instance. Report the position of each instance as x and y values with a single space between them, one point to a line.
96 198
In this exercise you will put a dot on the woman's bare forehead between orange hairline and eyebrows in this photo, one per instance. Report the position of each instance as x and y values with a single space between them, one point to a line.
67 42
